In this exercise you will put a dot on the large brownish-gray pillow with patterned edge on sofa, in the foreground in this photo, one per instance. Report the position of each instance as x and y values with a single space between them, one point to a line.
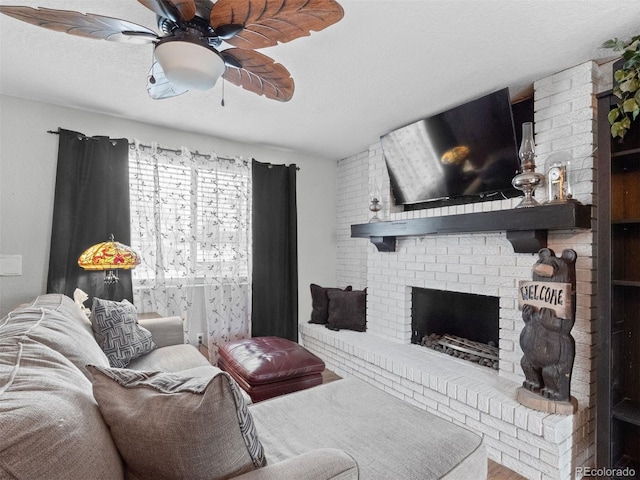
171 426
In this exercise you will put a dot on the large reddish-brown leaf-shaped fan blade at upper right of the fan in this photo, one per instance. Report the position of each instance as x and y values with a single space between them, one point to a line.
267 22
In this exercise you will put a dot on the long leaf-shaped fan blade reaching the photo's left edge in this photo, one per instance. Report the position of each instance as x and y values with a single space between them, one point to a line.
82 25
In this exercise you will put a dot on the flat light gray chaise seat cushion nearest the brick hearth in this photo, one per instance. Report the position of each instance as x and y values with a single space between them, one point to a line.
388 437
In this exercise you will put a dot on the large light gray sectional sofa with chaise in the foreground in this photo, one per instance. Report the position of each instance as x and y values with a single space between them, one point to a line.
56 423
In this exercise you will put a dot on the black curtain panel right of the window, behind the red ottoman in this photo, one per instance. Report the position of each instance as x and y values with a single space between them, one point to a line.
275 251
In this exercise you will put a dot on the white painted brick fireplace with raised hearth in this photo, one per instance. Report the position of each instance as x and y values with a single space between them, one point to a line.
535 444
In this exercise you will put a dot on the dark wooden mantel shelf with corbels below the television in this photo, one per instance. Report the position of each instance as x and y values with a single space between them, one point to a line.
526 227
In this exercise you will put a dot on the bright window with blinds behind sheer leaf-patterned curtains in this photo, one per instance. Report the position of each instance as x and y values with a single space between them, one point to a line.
189 215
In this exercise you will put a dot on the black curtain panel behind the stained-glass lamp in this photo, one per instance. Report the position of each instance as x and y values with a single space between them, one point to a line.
91 202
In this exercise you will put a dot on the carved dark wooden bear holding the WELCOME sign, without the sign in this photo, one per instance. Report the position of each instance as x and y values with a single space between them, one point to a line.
546 341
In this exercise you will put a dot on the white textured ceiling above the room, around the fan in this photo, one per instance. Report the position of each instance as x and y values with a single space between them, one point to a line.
386 64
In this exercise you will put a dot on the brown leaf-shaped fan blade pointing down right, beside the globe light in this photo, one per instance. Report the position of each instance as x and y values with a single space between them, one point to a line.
258 73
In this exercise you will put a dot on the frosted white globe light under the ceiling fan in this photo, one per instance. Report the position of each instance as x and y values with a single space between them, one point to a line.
189 65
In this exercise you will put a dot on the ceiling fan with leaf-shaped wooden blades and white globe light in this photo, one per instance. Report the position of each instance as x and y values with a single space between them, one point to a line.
202 41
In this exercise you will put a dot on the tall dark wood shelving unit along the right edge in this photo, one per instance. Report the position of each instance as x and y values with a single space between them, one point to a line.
618 226
